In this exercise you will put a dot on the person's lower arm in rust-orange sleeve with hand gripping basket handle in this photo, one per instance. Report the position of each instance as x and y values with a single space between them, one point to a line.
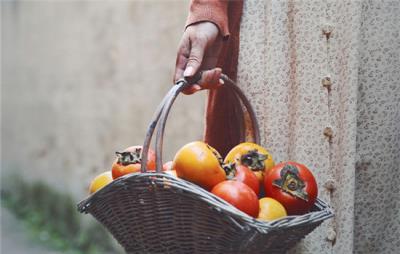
201 43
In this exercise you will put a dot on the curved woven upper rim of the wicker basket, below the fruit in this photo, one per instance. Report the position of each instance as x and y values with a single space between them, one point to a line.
240 218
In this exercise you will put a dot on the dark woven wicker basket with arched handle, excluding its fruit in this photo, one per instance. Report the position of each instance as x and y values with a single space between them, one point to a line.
158 213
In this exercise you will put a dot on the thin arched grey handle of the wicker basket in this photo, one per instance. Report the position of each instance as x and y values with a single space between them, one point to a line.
164 108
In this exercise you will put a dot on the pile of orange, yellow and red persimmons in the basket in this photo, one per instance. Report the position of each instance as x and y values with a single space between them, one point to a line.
247 178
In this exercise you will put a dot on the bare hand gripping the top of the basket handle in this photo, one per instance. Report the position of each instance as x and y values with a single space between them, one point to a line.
198 50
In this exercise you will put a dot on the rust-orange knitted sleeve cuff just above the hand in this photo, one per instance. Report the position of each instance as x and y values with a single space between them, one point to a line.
214 11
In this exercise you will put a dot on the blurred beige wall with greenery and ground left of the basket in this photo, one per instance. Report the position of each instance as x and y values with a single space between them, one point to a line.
79 81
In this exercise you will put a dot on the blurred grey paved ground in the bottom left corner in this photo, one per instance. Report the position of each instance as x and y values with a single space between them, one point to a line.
14 240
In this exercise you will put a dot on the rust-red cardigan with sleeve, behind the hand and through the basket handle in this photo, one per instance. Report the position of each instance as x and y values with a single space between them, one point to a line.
224 116
